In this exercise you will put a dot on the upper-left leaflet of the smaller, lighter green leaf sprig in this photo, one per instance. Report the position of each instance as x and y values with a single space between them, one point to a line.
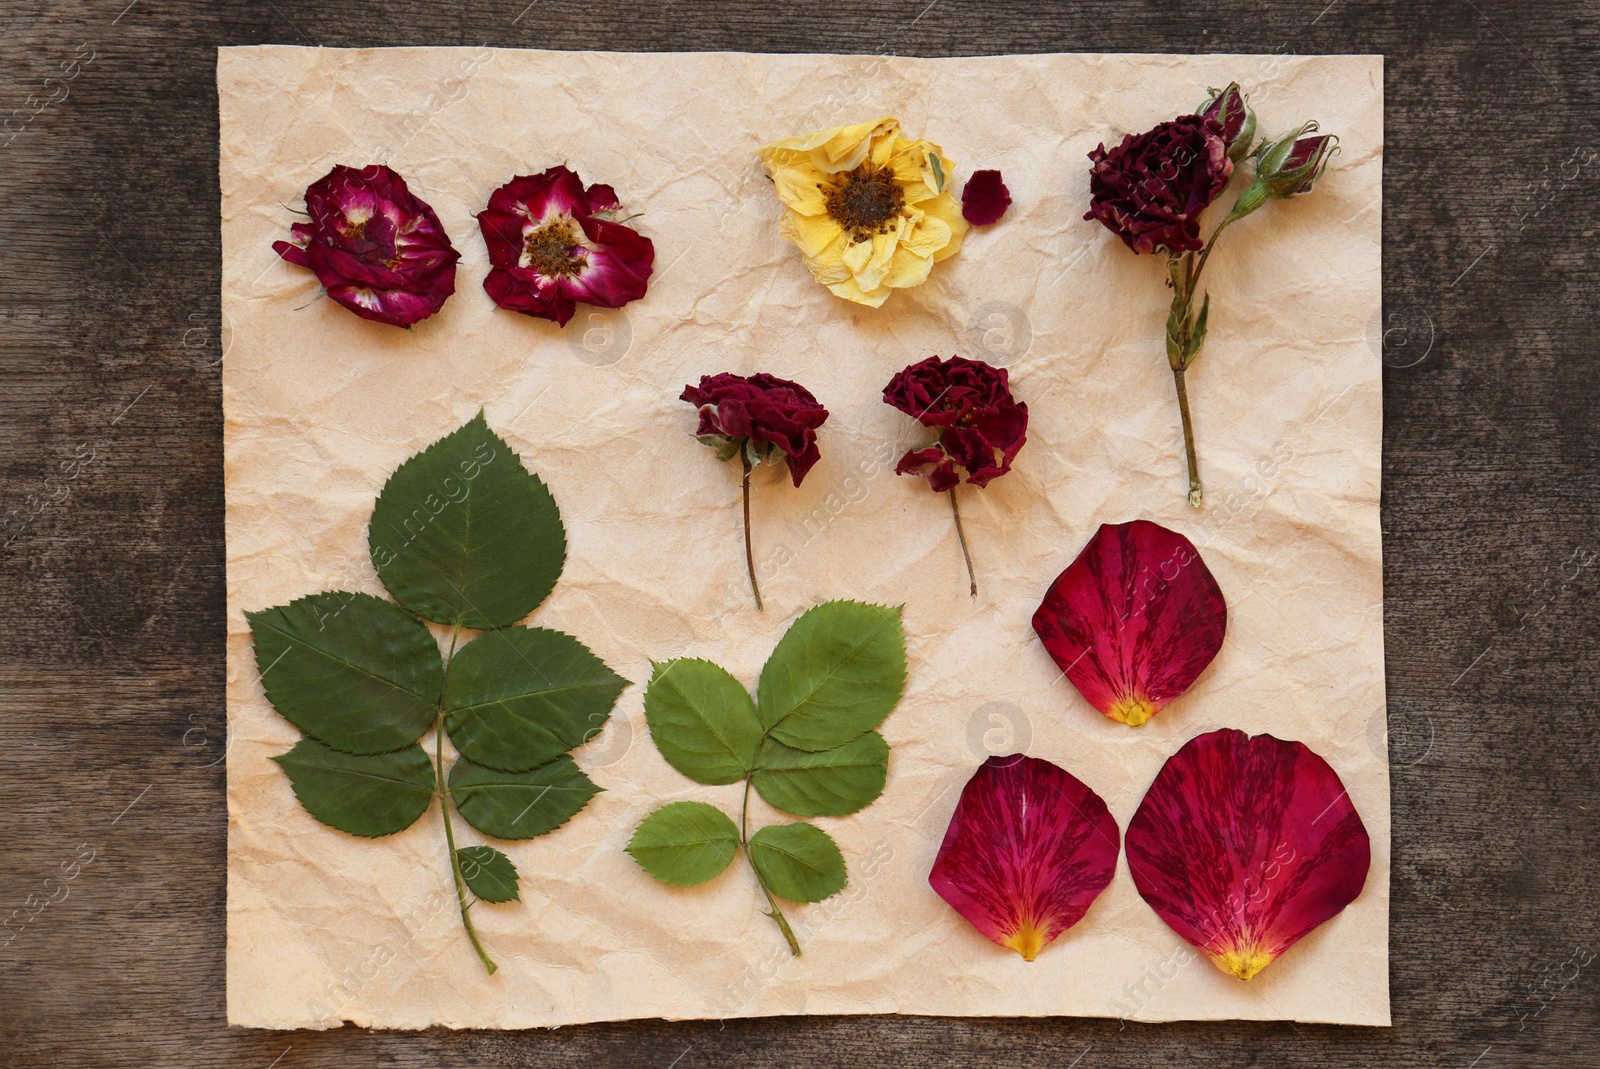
702 721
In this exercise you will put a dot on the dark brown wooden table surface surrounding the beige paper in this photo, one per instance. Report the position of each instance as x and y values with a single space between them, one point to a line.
111 654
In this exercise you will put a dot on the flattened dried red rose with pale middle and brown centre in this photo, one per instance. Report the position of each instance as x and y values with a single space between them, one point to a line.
553 249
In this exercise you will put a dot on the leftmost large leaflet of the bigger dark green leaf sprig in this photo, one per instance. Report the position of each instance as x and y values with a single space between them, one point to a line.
350 670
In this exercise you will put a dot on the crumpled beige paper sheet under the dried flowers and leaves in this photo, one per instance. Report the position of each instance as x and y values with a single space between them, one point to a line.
322 406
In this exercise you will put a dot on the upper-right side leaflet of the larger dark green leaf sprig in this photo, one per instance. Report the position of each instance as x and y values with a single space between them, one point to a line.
522 697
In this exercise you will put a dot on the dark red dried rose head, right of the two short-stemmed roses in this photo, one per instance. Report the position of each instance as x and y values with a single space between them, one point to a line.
982 426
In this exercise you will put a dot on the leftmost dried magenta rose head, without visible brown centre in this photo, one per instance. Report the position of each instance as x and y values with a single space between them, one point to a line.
377 249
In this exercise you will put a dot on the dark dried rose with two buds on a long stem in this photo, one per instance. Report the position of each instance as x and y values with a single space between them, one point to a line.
1153 188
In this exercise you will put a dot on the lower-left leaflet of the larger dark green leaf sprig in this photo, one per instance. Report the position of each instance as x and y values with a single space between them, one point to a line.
361 795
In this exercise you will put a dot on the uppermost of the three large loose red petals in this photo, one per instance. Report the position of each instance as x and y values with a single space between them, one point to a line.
1134 620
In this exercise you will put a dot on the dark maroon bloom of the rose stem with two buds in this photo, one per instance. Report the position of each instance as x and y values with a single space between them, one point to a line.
1151 190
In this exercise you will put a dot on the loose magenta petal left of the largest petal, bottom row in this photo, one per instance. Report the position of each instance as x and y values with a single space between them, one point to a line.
1028 851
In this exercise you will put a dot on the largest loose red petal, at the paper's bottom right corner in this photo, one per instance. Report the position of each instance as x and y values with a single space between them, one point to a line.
1246 844
